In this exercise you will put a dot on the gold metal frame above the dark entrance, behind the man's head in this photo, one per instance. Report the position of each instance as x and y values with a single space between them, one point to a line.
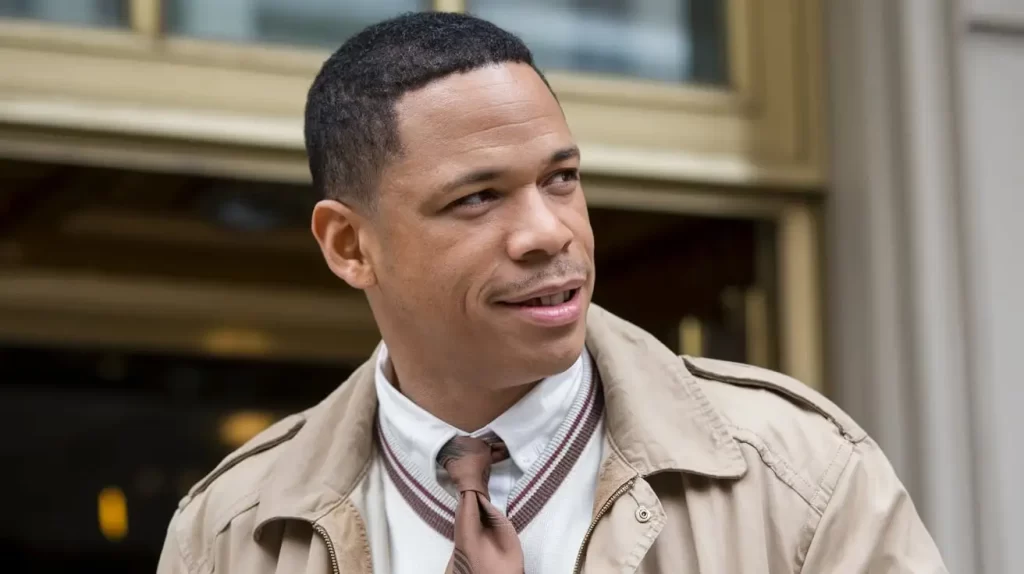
751 134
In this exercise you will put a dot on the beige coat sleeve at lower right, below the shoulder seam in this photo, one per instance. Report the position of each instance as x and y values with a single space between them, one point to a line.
871 524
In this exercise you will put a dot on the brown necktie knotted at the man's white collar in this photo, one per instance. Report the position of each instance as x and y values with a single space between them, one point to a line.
486 542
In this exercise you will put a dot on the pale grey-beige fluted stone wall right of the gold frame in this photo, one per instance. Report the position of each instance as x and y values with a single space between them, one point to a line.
926 256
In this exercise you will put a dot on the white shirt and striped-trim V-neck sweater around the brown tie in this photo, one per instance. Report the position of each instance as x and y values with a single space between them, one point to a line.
539 431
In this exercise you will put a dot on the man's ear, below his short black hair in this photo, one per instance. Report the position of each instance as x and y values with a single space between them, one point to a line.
337 228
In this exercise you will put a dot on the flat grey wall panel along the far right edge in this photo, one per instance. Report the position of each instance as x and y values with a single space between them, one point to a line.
993 89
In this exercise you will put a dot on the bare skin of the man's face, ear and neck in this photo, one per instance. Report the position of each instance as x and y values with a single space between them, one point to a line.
483 206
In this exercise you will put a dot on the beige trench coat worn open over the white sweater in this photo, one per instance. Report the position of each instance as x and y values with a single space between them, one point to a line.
710 467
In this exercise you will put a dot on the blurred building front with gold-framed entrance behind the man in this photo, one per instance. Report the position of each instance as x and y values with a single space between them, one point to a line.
826 188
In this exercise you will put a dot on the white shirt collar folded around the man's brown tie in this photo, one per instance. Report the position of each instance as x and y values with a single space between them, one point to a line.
527 428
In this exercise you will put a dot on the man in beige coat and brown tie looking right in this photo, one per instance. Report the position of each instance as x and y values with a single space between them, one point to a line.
505 423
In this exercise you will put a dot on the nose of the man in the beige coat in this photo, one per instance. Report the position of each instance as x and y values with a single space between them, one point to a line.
539 232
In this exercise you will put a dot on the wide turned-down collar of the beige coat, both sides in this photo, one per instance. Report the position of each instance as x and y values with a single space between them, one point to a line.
657 418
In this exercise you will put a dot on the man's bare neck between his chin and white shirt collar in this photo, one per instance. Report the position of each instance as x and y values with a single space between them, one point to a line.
466 406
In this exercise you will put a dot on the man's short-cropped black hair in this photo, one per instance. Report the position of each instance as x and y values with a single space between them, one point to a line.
351 124
